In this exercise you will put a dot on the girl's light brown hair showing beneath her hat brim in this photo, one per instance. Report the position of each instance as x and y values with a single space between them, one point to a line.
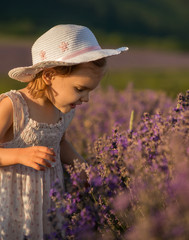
38 88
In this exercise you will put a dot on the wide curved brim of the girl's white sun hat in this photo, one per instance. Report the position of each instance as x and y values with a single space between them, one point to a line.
27 74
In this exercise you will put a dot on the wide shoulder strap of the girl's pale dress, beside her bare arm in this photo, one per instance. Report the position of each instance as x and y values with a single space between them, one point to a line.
18 110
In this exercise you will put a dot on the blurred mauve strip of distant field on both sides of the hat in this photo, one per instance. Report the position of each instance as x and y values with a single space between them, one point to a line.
16 56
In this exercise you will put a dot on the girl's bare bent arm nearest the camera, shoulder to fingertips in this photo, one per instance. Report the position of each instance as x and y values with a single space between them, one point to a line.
31 156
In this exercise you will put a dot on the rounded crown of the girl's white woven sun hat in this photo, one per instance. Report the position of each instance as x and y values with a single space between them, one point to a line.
61 41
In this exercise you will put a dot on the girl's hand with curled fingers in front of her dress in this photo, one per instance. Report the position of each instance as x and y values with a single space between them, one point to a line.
36 157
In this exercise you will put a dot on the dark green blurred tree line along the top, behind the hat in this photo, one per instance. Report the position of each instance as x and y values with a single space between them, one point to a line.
129 19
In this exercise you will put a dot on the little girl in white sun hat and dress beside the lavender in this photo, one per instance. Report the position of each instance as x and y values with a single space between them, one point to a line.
68 64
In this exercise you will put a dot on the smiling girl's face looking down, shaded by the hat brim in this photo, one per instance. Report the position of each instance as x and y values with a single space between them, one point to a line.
72 90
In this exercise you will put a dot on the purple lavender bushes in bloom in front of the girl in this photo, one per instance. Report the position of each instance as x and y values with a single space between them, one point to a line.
136 147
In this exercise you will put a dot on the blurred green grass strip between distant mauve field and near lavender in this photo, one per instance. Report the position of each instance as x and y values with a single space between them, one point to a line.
172 81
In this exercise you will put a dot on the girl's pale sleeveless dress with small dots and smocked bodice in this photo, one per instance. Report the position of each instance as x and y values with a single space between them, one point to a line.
24 191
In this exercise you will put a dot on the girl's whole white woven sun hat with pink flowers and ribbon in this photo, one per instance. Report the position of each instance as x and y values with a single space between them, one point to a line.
63 45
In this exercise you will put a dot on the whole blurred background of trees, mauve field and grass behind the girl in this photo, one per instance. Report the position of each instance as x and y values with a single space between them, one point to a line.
156 33
